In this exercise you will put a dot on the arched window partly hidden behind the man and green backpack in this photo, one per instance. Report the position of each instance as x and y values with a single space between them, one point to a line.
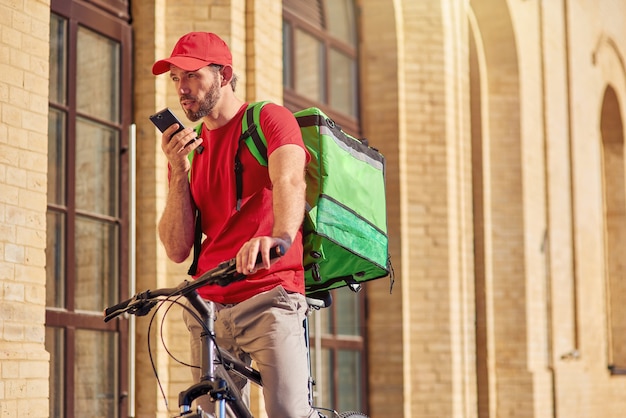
320 69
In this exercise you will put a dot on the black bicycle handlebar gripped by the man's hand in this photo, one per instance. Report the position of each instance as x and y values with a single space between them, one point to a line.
223 275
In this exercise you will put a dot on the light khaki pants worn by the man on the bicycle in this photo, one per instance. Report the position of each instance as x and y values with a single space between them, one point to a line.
266 328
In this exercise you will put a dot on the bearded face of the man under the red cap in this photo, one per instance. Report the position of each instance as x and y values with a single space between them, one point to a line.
198 91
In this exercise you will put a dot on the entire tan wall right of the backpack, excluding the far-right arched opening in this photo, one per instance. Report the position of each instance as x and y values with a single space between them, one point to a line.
540 78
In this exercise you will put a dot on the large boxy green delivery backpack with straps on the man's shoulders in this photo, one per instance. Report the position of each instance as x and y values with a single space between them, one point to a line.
345 225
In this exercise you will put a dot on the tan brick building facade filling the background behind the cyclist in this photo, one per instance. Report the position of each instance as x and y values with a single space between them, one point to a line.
501 122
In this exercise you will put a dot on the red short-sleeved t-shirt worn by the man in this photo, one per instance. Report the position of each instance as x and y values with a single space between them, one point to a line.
226 229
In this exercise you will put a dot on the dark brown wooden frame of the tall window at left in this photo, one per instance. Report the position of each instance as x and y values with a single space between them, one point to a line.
110 20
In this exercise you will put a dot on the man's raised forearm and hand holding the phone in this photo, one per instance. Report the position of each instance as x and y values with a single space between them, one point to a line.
176 227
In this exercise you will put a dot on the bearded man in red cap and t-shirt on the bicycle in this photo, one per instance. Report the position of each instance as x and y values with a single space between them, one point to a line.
260 317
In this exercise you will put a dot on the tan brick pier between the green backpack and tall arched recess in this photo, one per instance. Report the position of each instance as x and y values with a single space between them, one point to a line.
421 349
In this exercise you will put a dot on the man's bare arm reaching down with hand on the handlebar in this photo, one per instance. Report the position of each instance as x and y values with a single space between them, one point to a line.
286 170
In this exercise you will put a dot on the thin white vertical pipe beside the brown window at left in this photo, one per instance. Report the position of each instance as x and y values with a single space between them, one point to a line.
132 247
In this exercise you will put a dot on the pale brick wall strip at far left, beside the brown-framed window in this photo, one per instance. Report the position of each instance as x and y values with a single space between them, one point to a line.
23 183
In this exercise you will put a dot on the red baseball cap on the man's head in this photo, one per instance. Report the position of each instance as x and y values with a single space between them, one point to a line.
194 51
